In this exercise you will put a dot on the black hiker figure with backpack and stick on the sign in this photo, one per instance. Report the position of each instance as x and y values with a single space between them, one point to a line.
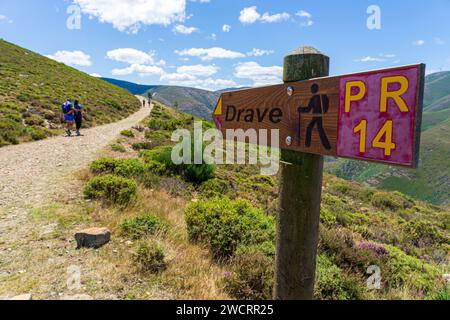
319 105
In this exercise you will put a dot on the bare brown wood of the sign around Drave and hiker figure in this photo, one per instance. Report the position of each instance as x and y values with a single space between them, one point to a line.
291 124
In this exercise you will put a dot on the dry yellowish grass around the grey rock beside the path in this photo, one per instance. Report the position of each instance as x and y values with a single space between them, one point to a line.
109 272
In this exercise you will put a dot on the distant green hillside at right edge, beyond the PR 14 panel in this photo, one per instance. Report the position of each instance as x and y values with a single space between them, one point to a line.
431 181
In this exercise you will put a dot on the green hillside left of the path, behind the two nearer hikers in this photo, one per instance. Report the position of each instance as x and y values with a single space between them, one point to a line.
33 87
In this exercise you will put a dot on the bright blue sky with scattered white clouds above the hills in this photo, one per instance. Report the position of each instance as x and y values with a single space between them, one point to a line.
218 43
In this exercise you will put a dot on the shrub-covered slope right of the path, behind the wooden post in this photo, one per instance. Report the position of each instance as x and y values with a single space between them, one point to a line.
202 232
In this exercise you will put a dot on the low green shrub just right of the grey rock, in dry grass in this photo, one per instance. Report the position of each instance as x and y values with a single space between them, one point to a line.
141 226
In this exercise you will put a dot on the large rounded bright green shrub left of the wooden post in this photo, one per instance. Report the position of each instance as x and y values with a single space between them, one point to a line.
224 224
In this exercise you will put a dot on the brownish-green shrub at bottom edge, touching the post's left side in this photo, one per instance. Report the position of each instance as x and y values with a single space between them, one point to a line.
251 277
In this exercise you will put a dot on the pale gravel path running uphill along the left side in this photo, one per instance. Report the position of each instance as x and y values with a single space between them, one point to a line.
31 176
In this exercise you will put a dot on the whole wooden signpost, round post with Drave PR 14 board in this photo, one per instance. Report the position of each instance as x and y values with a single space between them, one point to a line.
372 116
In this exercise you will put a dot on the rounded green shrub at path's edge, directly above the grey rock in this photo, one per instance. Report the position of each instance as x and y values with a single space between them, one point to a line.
111 188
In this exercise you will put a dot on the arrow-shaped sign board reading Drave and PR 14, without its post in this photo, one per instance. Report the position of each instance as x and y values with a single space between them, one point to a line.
371 116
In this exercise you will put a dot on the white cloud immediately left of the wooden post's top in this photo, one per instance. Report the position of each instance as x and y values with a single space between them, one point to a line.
258 74
